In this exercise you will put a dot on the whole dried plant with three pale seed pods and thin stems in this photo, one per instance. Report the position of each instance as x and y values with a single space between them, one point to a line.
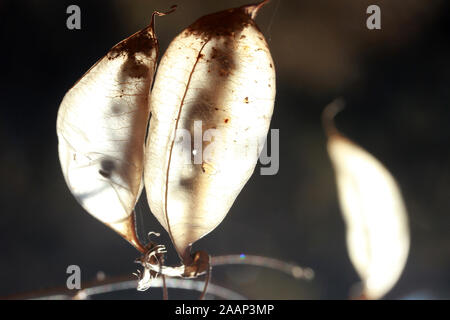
118 134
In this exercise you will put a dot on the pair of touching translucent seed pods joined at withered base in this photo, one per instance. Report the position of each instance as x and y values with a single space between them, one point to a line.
118 134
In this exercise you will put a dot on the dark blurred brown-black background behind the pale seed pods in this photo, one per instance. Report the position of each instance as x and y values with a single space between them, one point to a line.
396 84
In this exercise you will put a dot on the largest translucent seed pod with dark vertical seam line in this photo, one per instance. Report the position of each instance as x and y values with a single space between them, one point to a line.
211 105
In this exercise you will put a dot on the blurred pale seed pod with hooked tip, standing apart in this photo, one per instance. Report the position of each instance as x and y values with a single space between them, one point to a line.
372 206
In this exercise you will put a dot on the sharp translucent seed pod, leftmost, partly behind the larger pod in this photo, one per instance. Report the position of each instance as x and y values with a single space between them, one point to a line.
101 129
